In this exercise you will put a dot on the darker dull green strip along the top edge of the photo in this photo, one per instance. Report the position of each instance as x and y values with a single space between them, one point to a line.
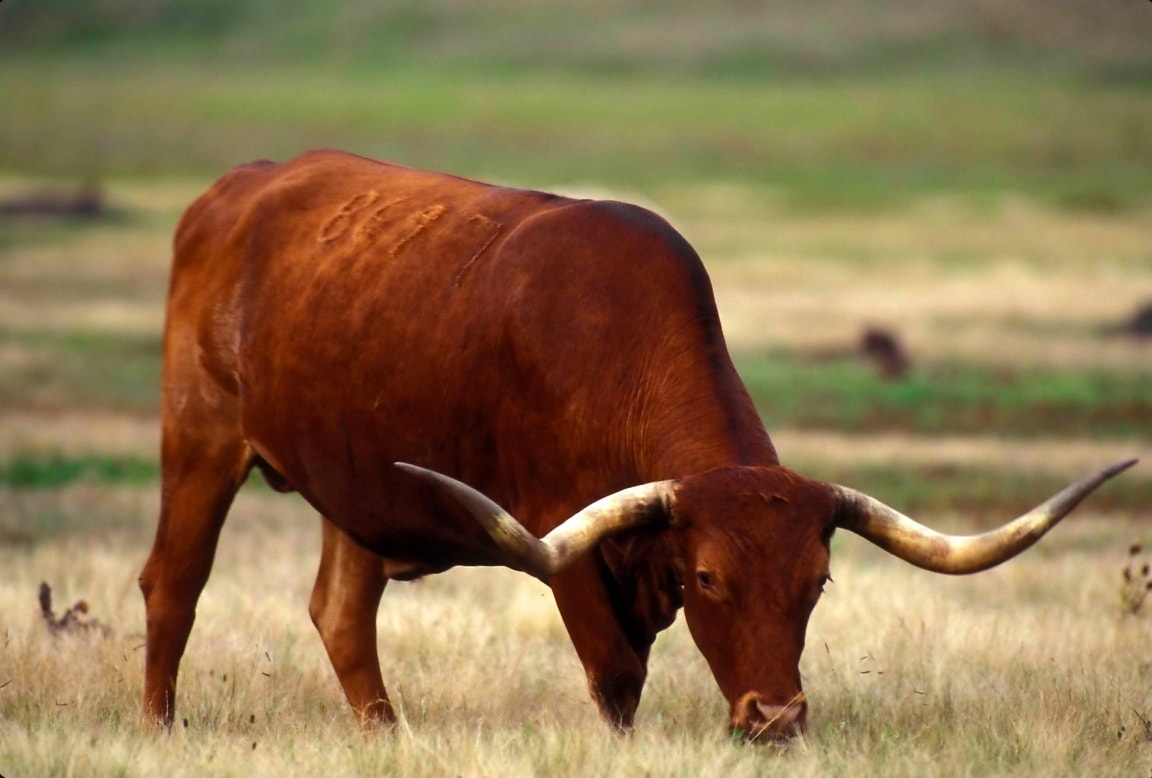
609 37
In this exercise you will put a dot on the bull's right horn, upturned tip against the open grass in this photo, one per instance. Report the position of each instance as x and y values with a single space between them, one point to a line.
960 555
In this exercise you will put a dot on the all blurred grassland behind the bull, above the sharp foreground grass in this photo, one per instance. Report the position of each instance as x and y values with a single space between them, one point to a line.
929 223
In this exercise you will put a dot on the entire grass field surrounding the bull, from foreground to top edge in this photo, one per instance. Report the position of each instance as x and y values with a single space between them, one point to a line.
974 176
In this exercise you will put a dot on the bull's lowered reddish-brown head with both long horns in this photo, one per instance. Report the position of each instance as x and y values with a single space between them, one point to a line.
753 550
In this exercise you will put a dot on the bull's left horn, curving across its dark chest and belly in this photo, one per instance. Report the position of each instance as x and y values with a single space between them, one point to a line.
577 537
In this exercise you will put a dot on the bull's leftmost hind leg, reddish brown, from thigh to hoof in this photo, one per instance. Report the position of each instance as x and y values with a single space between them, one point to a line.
203 463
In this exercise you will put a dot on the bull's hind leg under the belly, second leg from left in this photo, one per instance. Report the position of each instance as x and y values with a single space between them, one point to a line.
344 606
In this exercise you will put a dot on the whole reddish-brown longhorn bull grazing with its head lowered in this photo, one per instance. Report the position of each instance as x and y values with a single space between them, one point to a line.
334 315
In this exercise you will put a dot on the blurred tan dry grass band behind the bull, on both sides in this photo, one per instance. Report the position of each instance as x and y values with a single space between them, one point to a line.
1007 285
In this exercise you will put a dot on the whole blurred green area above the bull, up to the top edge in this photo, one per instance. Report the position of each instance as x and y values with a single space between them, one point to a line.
824 104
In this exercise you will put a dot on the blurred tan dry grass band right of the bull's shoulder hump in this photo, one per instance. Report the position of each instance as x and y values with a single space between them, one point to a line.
1013 285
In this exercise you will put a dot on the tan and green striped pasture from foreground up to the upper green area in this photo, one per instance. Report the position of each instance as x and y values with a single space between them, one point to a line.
1019 383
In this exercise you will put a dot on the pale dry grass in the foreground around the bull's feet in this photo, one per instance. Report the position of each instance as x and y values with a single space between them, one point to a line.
1028 670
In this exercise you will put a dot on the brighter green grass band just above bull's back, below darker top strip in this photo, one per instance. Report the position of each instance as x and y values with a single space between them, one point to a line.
855 143
